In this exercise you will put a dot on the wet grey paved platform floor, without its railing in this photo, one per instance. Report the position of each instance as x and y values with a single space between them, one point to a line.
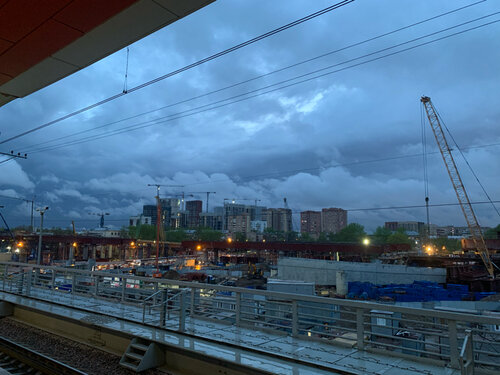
256 351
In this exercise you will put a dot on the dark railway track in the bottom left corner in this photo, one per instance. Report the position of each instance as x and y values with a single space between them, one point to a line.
17 359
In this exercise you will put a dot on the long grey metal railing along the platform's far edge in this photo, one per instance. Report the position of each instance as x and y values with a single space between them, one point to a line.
420 334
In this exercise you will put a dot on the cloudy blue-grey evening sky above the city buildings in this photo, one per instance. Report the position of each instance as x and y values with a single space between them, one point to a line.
316 143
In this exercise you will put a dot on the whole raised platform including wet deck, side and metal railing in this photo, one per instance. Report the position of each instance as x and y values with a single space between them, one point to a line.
194 328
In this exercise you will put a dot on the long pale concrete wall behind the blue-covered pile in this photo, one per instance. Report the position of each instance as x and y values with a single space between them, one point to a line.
323 272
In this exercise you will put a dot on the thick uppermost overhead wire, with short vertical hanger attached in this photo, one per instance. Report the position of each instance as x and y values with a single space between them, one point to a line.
190 66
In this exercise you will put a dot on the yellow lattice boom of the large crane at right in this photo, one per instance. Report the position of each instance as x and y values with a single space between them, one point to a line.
456 180
